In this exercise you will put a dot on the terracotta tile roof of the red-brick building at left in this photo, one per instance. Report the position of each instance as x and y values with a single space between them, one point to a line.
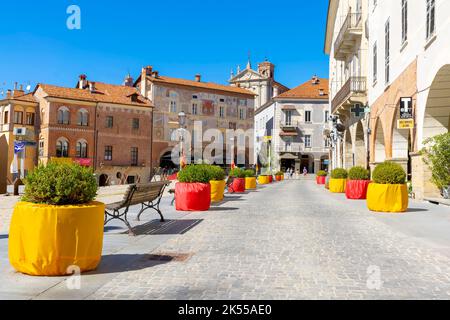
103 92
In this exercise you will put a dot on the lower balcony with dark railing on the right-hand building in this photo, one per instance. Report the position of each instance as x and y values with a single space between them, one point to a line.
354 90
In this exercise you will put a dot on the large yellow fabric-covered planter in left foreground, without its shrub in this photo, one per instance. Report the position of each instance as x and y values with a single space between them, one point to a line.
45 240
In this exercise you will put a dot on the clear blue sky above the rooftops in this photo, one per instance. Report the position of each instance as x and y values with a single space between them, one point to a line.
178 38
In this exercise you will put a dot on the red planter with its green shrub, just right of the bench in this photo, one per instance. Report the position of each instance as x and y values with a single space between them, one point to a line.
193 190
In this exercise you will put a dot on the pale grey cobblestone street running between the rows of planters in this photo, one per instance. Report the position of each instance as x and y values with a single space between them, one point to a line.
293 240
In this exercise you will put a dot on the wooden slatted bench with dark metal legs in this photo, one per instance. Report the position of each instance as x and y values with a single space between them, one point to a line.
147 195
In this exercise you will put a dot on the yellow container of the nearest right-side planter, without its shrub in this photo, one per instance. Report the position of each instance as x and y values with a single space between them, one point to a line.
387 197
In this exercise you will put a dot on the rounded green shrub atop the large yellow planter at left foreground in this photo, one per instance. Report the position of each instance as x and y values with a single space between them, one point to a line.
60 184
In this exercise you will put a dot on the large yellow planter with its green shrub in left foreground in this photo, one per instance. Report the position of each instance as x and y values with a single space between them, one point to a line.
57 224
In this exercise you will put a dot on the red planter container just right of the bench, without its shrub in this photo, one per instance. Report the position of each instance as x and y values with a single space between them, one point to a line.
192 196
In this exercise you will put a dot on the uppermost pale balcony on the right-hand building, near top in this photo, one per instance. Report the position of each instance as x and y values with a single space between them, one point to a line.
350 32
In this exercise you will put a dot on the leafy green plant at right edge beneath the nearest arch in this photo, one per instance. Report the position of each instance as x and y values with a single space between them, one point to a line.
437 156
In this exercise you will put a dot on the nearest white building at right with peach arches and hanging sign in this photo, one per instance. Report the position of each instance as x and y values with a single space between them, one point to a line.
409 57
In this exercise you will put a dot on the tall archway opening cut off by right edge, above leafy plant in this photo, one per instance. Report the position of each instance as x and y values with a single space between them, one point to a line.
436 118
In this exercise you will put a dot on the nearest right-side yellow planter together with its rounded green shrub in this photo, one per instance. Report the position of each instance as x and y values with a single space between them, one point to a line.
388 192
